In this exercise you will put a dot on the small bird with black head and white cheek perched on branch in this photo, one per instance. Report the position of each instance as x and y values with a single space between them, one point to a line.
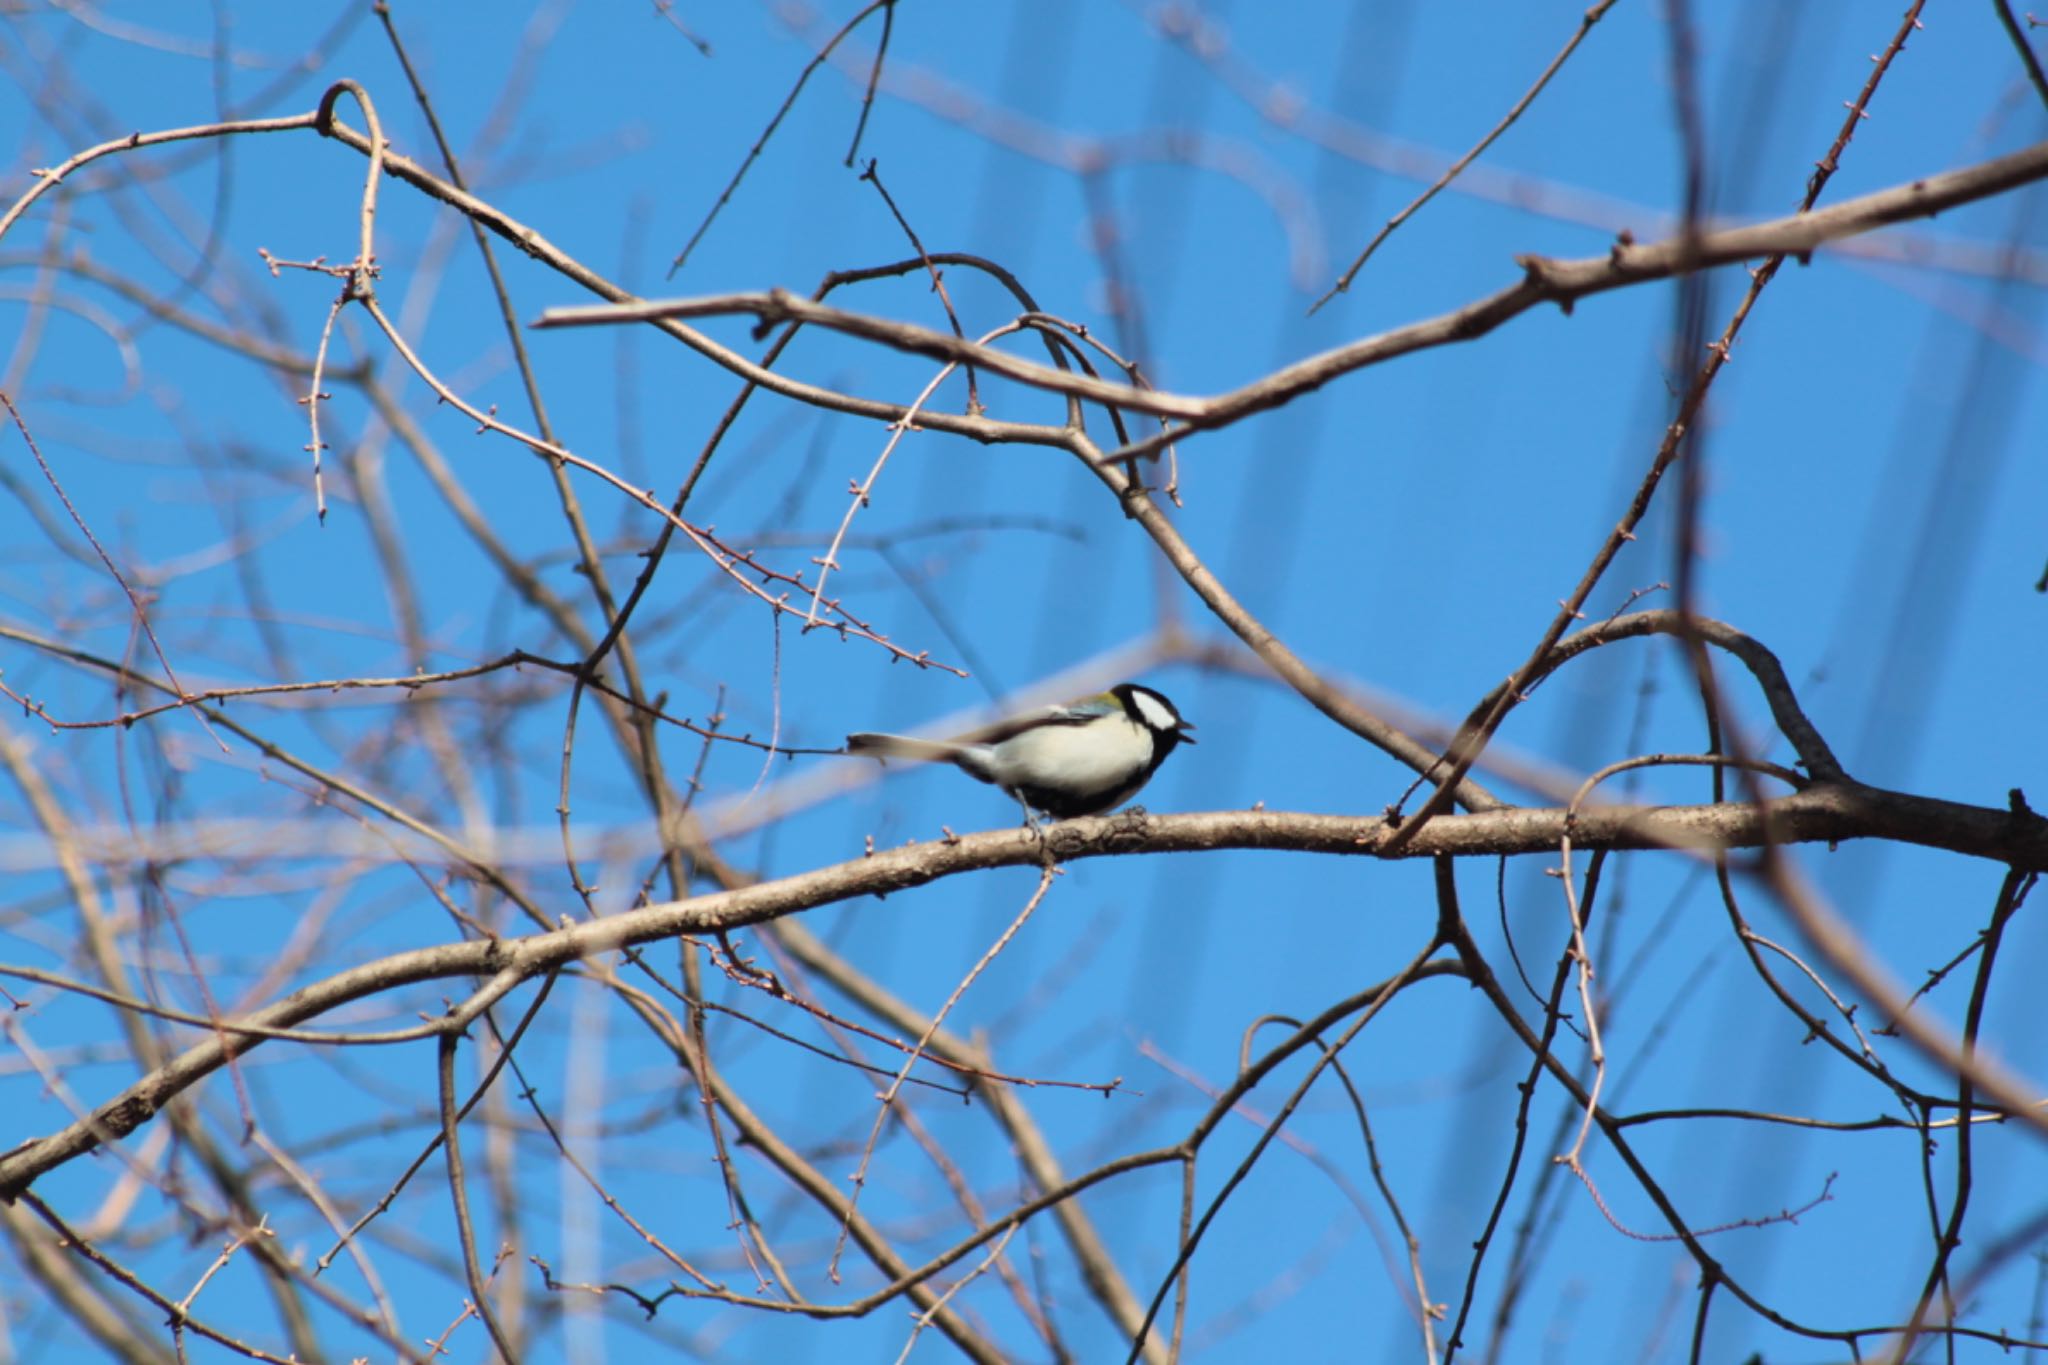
1064 760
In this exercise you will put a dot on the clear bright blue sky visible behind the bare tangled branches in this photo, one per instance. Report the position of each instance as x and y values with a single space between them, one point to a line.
1873 513
